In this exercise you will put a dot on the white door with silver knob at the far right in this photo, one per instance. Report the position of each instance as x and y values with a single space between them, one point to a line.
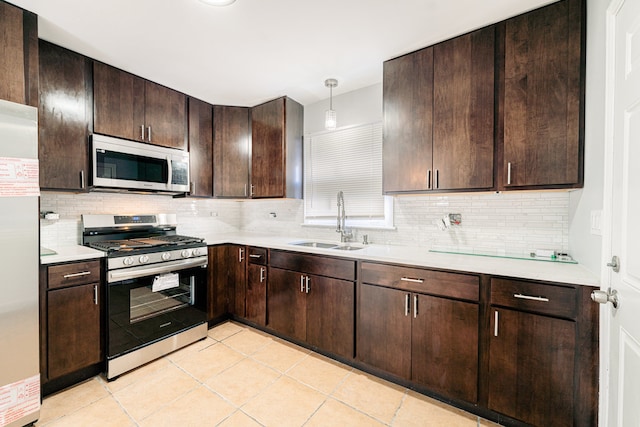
623 193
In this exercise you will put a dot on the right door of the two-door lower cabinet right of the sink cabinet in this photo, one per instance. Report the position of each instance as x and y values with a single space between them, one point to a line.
444 346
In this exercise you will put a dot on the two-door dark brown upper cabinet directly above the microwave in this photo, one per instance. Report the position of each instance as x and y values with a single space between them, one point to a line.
130 107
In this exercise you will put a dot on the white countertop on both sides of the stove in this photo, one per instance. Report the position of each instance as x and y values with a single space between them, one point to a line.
418 256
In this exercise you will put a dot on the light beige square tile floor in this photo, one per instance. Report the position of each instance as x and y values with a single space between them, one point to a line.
239 376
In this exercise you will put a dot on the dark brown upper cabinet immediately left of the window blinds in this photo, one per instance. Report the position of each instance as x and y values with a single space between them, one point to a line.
276 149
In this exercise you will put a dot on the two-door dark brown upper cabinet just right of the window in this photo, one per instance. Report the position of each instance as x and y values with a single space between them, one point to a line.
438 116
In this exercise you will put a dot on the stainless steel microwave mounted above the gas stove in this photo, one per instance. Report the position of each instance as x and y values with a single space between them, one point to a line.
119 164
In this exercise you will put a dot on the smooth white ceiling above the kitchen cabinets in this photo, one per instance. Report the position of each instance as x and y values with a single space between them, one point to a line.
257 50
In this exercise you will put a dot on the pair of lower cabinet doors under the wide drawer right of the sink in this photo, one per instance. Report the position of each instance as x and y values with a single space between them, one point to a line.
430 340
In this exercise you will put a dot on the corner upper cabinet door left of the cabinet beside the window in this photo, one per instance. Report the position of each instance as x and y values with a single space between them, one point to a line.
231 151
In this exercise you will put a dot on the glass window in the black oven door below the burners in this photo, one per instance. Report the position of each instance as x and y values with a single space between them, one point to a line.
145 303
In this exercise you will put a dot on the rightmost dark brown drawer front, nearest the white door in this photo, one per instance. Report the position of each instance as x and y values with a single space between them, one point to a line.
538 297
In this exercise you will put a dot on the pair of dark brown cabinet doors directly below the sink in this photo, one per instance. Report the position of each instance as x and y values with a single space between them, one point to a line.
315 309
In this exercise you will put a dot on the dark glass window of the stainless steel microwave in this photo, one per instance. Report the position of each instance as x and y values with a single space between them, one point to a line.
116 165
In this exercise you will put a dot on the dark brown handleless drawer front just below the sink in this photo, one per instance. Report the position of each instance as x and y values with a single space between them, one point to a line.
313 264
